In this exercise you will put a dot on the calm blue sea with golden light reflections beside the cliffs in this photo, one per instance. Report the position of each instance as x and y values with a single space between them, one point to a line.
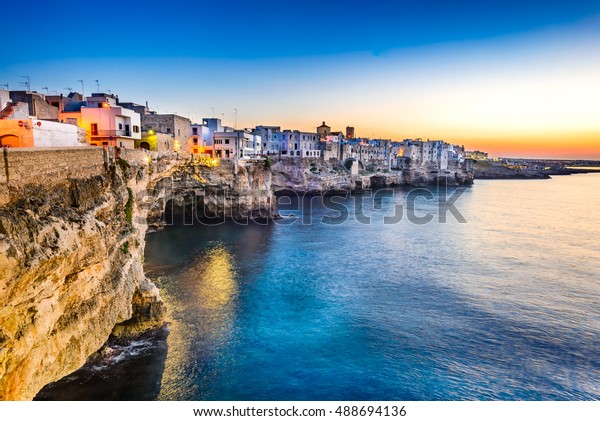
504 306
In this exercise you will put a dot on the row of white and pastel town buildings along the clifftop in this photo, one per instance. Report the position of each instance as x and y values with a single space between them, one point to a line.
102 120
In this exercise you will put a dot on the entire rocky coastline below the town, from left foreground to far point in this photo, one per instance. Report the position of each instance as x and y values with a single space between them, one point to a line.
123 199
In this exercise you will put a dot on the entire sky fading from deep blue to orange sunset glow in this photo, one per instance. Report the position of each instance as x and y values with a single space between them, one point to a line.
514 78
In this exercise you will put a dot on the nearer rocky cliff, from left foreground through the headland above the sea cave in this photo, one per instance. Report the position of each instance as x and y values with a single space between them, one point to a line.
71 254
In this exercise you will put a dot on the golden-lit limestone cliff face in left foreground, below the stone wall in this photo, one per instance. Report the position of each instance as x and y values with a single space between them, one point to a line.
70 270
